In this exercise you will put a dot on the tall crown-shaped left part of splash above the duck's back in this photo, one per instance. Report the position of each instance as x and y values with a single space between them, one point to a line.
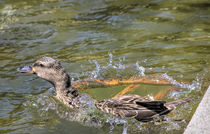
111 69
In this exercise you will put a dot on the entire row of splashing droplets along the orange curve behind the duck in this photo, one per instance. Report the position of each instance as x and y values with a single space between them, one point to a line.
118 69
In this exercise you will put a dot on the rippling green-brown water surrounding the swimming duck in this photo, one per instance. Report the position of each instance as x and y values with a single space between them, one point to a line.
101 39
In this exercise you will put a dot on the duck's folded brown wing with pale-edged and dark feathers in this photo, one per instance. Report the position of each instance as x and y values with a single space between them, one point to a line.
133 106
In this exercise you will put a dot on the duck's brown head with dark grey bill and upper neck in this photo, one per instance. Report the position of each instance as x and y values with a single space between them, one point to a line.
50 70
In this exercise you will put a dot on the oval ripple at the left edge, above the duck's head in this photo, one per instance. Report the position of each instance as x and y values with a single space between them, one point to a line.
26 34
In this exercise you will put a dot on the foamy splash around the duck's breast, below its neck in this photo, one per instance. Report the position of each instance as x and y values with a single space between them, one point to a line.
47 107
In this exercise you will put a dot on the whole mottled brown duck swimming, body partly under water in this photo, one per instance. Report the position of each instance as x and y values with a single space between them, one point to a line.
130 106
